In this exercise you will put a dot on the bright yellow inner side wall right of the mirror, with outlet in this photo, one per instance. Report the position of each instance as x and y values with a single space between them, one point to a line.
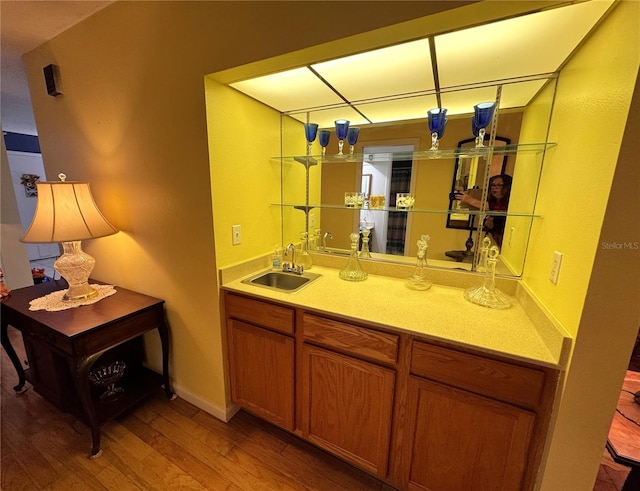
591 107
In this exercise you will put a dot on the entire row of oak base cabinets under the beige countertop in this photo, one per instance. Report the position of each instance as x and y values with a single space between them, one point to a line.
417 414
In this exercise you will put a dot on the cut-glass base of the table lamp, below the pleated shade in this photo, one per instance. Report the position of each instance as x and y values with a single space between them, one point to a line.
75 266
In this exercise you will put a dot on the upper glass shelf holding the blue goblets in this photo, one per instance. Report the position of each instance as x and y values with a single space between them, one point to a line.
440 154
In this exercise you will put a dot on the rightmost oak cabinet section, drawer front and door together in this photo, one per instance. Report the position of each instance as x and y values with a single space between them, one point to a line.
471 422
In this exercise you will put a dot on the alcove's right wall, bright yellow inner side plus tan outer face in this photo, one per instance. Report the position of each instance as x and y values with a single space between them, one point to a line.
596 298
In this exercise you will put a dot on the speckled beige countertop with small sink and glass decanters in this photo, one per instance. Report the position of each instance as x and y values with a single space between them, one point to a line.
440 313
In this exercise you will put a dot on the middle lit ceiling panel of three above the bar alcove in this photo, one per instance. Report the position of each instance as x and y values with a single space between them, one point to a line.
399 69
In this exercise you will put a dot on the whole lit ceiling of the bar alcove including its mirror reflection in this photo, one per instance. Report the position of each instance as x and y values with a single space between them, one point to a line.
534 44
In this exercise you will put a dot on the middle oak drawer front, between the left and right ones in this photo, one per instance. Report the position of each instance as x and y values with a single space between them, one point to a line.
361 341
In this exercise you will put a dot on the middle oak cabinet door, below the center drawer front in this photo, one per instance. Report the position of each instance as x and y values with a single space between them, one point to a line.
347 405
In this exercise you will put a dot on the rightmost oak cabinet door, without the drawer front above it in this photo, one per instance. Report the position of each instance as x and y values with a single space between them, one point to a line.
462 441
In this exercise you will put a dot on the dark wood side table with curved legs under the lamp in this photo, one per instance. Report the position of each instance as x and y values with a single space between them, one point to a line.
63 346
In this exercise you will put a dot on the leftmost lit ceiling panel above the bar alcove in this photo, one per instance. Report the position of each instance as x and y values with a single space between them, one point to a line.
287 91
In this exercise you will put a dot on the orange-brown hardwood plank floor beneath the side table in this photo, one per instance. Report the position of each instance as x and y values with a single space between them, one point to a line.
170 445
